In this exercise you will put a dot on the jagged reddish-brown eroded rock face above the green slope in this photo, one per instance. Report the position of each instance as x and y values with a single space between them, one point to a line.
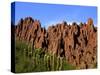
78 44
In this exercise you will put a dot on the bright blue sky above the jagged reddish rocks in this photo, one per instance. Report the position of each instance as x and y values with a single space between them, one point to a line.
49 14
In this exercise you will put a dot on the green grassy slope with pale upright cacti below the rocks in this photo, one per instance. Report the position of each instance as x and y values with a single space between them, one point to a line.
28 60
